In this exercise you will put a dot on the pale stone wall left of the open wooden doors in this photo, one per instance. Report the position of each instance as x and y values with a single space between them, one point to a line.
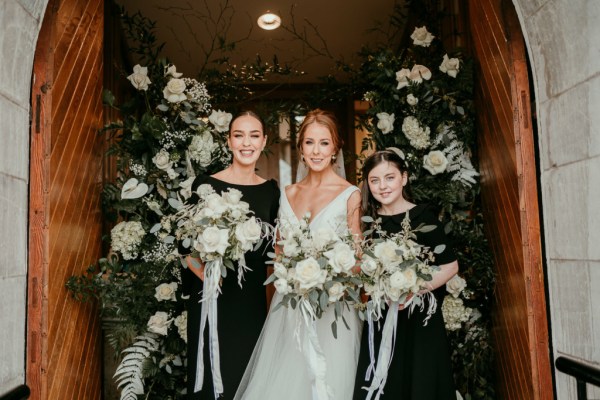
20 21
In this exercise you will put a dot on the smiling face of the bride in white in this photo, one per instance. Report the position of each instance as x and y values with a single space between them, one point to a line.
317 147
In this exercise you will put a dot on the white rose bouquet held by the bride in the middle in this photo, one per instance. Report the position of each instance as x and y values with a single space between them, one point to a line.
315 270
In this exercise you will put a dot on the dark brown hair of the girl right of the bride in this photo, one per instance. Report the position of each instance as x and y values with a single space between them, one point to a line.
369 204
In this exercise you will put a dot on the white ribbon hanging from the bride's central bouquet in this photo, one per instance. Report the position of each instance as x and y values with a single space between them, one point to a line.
310 346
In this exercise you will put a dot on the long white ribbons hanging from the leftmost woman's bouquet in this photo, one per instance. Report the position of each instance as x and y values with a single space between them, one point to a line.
210 293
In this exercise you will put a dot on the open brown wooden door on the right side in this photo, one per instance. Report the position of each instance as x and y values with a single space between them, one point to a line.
509 194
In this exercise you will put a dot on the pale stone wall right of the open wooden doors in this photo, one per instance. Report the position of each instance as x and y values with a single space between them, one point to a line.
563 39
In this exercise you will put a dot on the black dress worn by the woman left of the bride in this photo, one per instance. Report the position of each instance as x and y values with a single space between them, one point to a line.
241 311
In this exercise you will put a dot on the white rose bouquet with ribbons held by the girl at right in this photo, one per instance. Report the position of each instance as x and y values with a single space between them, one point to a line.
394 270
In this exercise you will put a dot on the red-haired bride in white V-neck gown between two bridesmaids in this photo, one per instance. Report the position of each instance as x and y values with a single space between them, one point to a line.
284 365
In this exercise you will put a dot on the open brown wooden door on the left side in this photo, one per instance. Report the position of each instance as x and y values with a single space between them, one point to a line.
66 164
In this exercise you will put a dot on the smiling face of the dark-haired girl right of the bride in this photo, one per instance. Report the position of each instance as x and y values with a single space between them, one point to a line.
386 183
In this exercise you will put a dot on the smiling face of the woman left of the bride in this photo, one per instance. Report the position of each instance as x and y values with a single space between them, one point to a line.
246 140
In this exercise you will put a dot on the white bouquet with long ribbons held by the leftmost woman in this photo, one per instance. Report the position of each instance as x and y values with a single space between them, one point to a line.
218 230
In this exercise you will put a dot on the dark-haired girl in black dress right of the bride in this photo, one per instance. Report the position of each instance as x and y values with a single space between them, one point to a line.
421 368
